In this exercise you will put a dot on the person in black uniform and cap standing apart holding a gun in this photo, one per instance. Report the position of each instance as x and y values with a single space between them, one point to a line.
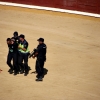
41 58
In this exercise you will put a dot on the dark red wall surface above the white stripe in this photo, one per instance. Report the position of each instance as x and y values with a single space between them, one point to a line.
92 6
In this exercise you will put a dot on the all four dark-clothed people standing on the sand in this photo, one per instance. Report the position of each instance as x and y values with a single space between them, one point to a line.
19 53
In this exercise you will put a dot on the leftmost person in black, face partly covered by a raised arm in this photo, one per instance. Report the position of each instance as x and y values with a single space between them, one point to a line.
12 55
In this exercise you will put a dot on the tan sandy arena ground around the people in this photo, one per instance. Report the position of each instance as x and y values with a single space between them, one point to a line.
73 57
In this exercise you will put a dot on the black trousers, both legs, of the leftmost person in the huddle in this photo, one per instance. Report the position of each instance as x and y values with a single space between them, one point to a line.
13 56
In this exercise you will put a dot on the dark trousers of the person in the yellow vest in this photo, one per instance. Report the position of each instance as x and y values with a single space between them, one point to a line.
23 57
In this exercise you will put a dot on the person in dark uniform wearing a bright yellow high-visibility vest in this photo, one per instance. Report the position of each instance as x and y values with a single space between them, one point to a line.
23 54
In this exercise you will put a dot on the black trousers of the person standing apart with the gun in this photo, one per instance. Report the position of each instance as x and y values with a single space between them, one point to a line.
40 67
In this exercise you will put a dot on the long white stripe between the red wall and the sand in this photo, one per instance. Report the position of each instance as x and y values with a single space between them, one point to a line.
51 9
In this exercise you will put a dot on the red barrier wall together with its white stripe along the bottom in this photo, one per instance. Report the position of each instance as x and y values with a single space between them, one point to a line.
91 7
